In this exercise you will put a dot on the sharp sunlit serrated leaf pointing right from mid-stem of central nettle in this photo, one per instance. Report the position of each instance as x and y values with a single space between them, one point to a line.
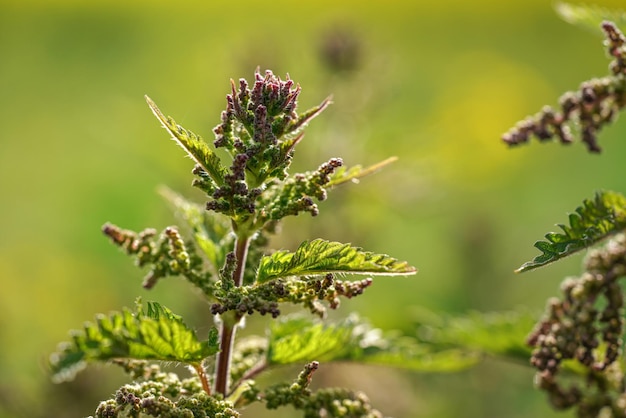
319 257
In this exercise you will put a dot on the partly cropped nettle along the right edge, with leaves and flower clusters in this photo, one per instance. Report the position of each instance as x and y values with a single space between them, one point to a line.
579 342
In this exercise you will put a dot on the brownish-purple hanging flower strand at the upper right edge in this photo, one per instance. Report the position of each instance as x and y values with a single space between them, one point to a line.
594 105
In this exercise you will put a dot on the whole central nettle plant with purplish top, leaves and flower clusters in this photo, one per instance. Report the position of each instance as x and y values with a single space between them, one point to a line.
227 259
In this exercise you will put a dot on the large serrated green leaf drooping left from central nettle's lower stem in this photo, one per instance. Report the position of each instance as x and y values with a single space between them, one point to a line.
153 334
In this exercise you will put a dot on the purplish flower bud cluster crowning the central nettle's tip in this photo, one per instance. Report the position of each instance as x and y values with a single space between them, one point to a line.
259 129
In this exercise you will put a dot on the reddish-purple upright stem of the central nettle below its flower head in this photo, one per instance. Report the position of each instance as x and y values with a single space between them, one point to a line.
229 324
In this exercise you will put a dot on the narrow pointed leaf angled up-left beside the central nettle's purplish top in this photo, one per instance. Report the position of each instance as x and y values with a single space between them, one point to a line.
193 144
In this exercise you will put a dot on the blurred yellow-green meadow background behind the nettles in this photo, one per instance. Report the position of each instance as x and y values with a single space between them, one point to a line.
435 83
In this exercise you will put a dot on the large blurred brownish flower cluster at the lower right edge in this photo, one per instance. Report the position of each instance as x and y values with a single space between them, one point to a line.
581 328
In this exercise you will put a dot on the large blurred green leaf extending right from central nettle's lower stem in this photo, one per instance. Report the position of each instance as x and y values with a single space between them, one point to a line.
299 339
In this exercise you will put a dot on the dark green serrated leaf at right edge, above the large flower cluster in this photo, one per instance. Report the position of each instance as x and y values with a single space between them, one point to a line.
595 220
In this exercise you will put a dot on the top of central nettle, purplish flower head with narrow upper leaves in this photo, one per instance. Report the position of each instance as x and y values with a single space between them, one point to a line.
260 129
